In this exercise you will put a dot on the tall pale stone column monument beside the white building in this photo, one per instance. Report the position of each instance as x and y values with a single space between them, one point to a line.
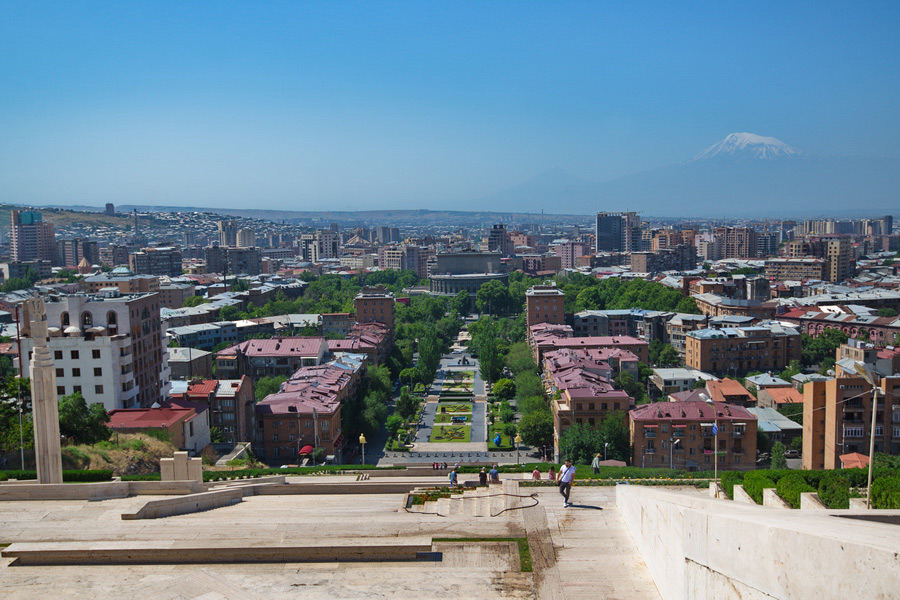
45 407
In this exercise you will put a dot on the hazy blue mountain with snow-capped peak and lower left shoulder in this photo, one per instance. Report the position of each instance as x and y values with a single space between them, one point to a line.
742 175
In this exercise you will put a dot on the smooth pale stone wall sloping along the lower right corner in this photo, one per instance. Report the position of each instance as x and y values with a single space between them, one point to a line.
700 548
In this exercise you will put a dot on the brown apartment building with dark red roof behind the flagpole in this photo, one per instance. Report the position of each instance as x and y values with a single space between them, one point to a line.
681 435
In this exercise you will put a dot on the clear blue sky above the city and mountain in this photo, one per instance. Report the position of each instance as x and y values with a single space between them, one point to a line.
394 104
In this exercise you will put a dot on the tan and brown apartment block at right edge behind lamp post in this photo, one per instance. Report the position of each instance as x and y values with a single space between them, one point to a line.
837 417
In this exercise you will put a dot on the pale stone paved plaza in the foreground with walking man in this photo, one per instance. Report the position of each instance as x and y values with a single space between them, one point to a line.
579 552
